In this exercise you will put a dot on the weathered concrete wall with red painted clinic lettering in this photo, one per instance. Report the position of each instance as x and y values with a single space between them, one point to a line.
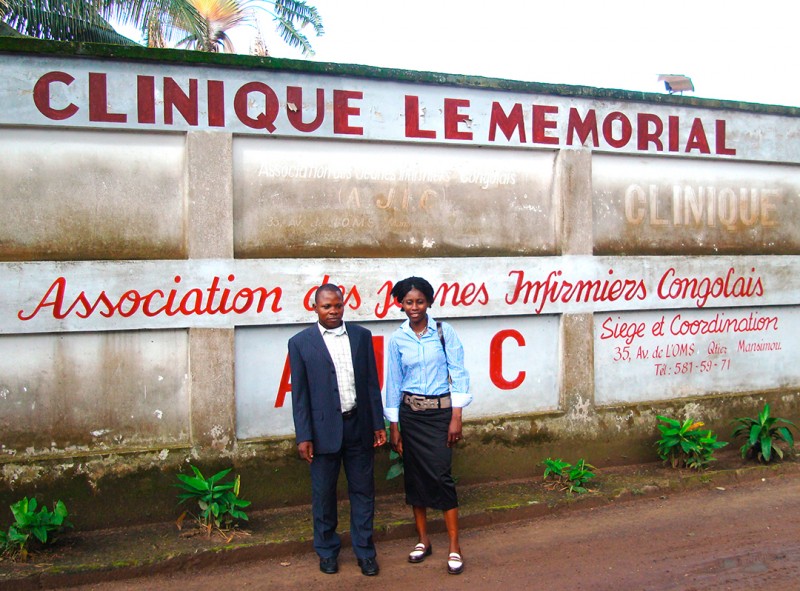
159 249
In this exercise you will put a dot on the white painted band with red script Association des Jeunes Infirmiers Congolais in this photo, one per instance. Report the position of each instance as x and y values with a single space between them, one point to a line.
217 293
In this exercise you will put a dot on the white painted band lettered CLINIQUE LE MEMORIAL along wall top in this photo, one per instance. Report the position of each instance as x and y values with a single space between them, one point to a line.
63 91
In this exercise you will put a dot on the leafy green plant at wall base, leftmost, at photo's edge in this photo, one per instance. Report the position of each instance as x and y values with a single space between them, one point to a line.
30 524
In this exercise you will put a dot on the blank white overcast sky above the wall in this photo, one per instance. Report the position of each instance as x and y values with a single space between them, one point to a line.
733 49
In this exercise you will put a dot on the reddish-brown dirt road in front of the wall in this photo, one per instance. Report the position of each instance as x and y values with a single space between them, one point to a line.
744 537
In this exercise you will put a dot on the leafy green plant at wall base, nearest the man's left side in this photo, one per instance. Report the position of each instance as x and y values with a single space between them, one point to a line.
219 502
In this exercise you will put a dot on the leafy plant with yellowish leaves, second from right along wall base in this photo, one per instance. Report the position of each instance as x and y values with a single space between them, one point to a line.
686 443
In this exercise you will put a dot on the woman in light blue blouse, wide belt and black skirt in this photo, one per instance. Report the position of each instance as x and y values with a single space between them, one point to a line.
426 388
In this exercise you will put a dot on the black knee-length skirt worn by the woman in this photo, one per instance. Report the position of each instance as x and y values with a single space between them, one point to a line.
427 460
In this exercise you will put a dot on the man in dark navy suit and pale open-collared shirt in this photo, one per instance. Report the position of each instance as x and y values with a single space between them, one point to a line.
338 419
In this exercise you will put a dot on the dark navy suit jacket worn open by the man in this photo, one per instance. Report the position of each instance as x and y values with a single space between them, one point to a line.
316 407
